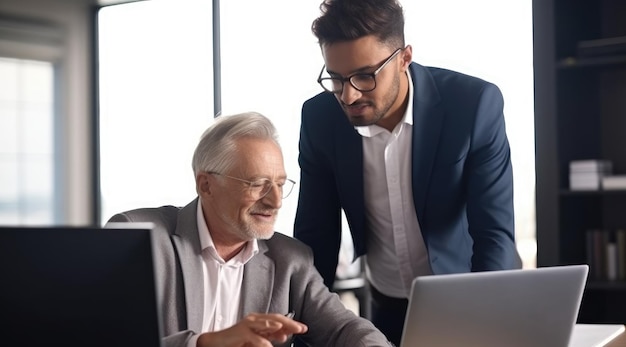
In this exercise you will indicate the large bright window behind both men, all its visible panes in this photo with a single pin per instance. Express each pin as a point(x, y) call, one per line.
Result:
point(155, 91)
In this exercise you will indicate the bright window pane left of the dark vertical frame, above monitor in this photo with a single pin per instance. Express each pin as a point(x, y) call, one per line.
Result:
point(156, 99)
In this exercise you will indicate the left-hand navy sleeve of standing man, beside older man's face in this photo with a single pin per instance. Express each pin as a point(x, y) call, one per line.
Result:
point(318, 216)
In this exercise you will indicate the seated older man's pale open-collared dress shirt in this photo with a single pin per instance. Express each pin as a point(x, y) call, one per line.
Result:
point(222, 282)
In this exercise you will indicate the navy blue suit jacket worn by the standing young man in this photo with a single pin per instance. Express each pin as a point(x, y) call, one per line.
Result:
point(462, 177)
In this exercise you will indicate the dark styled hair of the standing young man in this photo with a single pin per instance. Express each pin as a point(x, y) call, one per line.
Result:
point(346, 20)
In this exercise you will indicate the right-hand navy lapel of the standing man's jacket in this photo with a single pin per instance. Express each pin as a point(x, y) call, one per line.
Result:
point(427, 124)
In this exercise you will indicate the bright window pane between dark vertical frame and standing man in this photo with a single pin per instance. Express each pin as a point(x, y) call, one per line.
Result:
point(271, 69)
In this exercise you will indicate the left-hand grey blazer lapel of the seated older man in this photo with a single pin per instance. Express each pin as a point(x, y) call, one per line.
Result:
point(187, 245)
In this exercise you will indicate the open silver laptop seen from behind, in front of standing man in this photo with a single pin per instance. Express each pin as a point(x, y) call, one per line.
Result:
point(514, 308)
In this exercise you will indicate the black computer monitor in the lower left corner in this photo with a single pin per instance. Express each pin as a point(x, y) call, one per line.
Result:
point(77, 286)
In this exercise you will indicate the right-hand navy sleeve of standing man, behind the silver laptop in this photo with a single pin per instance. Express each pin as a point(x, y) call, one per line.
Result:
point(490, 187)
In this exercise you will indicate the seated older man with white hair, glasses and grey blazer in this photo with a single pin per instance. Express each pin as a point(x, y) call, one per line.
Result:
point(224, 277)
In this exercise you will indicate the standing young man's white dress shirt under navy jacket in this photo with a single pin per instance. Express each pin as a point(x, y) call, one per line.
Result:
point(395, 248)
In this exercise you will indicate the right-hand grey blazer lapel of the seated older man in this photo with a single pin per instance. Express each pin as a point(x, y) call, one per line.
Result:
point(258, 280)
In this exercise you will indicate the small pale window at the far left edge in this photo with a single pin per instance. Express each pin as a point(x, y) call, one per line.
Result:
point(27, 151)
